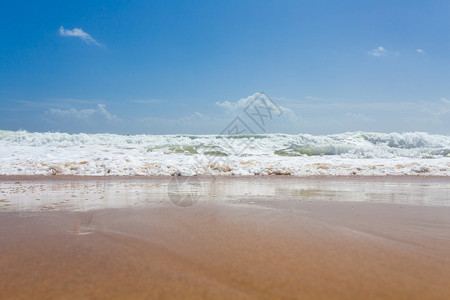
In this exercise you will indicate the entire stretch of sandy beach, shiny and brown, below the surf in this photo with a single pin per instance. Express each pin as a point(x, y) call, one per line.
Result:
point(296, 239)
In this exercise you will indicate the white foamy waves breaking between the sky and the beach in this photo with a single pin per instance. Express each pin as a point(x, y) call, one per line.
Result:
point(351, 153)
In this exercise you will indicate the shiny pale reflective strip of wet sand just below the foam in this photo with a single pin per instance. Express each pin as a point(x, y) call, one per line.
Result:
point(71, 193)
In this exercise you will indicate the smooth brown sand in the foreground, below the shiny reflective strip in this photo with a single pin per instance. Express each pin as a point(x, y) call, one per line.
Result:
point(290, 249)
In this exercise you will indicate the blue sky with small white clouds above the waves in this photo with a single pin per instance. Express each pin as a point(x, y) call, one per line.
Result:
point(189, 67)
